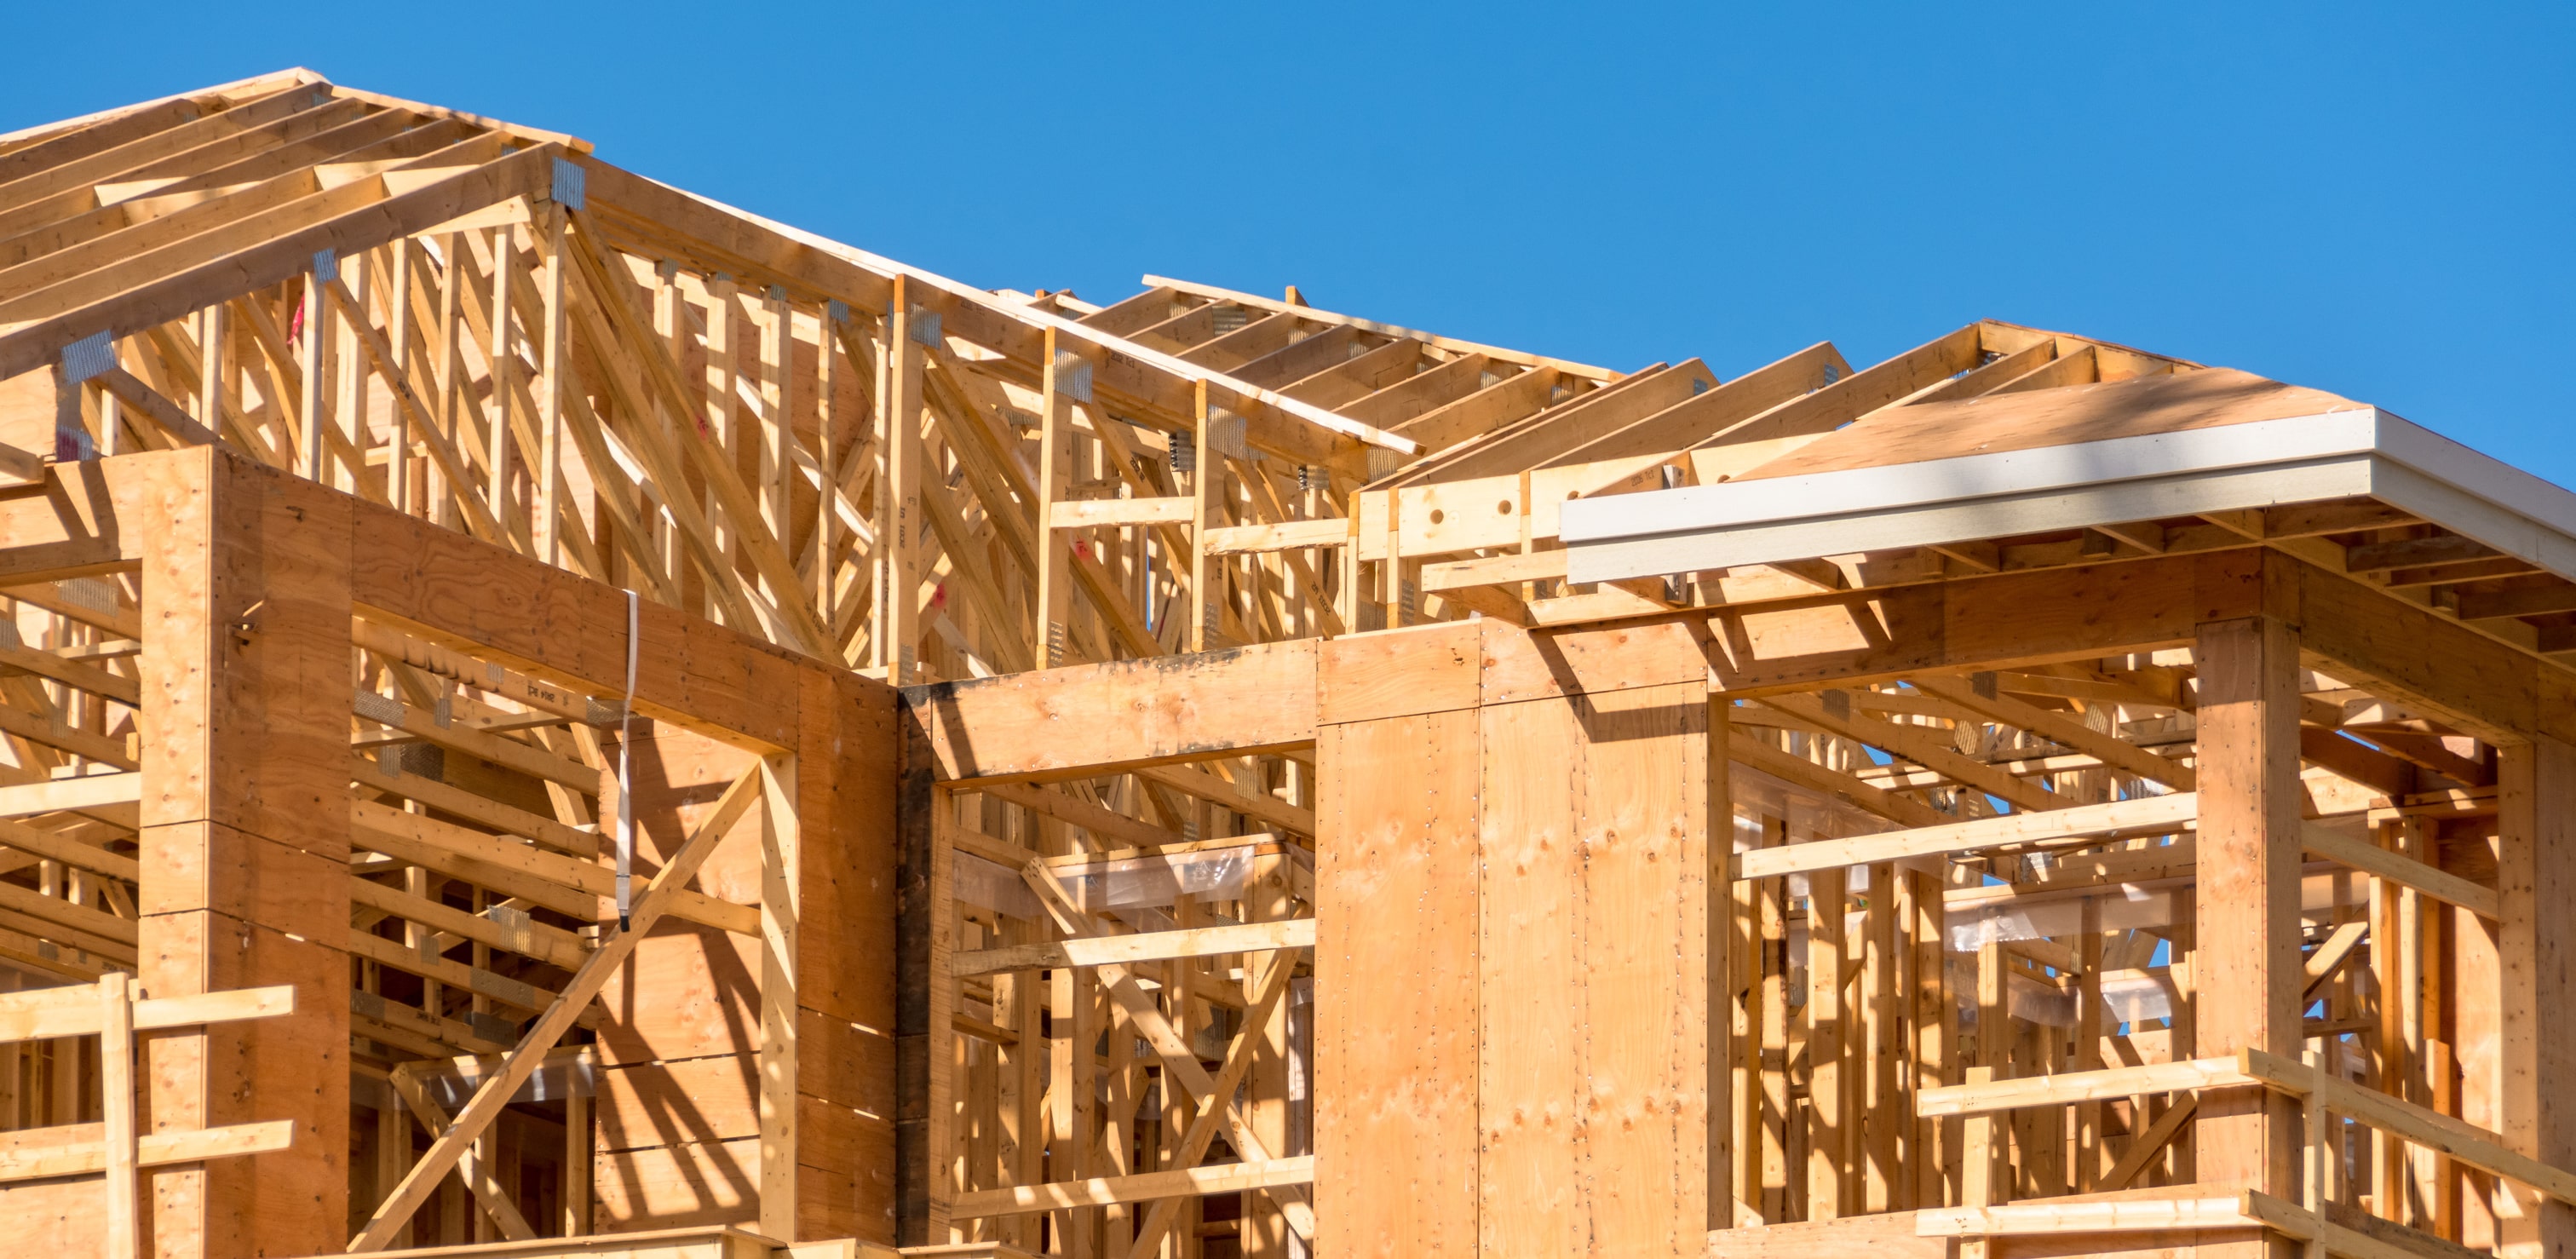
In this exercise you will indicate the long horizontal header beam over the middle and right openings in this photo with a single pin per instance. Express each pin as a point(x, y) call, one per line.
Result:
point(1096, 720)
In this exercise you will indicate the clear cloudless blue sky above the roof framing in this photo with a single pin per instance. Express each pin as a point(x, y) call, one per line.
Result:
point(2369, 200)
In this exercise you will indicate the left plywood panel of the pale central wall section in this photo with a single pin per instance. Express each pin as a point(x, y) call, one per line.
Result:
point(1397, 949)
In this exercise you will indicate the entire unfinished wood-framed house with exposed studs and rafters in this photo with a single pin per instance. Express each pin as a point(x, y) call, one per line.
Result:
point(542, 714)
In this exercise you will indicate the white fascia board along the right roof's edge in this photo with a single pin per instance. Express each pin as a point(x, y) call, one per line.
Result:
point(2080, 485)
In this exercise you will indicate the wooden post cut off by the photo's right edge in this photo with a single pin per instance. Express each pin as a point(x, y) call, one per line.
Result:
point(2536, 946)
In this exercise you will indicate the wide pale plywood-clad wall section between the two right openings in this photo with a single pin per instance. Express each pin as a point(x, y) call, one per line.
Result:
point(1513, 918)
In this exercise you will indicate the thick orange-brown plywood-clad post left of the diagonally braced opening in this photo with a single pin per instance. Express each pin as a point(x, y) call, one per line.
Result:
point(243, 841)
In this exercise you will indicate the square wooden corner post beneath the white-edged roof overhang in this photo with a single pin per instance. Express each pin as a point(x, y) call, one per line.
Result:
point(2245, 962)
